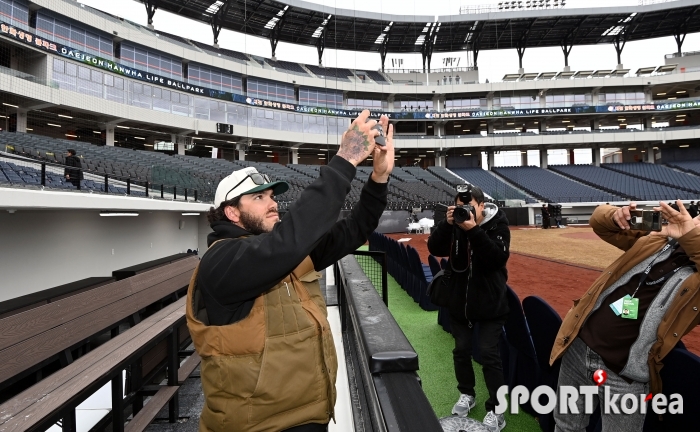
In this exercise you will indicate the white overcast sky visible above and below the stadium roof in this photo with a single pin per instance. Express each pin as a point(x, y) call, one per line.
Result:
point(492, 64)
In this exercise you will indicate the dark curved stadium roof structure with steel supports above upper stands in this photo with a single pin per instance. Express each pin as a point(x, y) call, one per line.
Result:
point(305, 23)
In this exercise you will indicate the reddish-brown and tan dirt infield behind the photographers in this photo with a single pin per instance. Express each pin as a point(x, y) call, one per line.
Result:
point(556, 264)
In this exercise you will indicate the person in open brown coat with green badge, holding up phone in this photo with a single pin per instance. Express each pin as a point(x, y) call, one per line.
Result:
point(657, 271)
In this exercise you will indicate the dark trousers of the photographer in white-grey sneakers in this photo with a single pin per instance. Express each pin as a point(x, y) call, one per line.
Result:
point(489, 335)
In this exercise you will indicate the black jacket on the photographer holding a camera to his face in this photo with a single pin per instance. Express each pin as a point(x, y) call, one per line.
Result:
point(485, 273)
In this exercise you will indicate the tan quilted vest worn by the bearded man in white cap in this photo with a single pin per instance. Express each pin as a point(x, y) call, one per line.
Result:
point(272, 370)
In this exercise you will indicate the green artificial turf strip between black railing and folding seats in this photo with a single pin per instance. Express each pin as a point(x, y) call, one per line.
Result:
point(434, 347)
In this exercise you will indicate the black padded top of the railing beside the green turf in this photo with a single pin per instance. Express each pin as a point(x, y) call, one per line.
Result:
point(384, 343)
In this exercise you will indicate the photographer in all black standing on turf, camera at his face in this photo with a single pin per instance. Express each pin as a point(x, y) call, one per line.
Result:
point(476, 238)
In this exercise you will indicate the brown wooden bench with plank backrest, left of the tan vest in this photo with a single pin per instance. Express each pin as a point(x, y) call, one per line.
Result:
point(33, 336)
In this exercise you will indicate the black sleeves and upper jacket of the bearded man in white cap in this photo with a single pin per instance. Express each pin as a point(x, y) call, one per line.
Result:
point(233, 273)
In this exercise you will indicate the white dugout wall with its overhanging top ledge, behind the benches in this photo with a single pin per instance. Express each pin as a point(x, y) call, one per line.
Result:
point(52, 238)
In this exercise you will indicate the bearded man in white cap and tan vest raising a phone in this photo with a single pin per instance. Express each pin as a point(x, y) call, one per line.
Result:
point(255, 309)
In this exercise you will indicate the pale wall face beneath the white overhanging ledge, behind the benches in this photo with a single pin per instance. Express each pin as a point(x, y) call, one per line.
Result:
point(46, 248)
